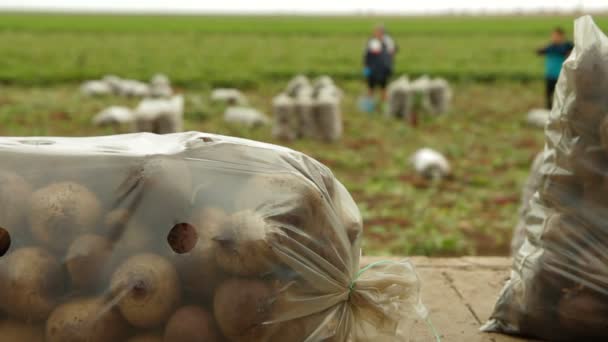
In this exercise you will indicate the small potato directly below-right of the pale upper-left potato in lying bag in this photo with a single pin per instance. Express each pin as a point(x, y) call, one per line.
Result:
point(86, 257)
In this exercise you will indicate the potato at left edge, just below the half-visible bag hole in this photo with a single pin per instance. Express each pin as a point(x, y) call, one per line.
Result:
point(30, 281)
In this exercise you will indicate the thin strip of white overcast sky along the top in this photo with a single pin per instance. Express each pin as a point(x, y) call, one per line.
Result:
point(311, 6)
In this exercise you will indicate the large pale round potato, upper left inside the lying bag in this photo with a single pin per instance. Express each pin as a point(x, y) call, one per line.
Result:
point(60, 212)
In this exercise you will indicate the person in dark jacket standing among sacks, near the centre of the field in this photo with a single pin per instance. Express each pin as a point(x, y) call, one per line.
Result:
point(378, 62)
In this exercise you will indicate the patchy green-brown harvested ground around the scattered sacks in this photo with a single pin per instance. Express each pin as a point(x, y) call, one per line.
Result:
point(484, 136)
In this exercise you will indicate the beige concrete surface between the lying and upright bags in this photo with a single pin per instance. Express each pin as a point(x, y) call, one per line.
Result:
point(460, 294)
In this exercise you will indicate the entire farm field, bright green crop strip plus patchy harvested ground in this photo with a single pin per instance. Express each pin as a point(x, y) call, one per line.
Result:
point(495, 74)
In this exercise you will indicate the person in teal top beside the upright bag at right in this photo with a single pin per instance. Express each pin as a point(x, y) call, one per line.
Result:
point(555, 55)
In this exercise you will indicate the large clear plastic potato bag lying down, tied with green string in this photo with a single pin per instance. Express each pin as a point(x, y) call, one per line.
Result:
point(186, 237)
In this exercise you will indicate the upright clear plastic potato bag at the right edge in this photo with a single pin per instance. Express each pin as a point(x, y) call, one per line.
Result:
point(559, 283)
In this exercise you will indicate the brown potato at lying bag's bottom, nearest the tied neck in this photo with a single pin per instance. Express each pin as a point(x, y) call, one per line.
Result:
point(241, 306)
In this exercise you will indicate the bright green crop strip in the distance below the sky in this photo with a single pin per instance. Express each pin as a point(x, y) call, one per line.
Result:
point(252, 51)
